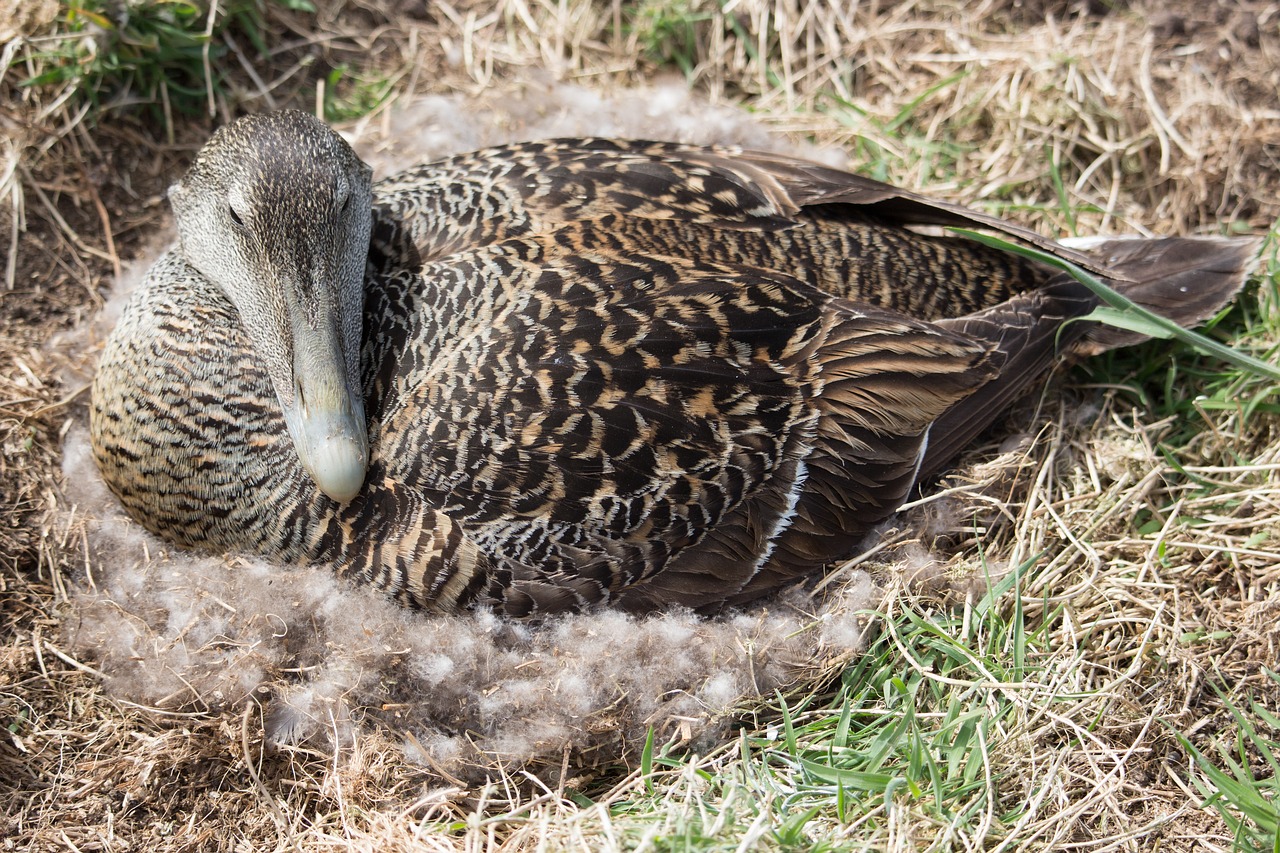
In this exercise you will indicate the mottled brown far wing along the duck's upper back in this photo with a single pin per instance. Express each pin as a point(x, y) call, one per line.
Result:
point(490, 195)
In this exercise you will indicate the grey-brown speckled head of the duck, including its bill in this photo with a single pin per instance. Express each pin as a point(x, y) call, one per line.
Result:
point(277, 213)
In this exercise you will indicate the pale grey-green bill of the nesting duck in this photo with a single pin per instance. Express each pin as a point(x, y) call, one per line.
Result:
point(327, 419)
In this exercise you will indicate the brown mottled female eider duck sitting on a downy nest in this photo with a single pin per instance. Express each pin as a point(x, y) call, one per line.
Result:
point(552, 376)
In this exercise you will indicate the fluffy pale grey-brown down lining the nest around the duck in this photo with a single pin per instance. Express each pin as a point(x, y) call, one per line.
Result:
point(179, 631)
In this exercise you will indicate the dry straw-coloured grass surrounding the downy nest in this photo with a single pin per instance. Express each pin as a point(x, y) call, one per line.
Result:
point(1158, 587)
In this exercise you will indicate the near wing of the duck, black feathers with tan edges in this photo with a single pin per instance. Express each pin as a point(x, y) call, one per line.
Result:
point(591, 419)
